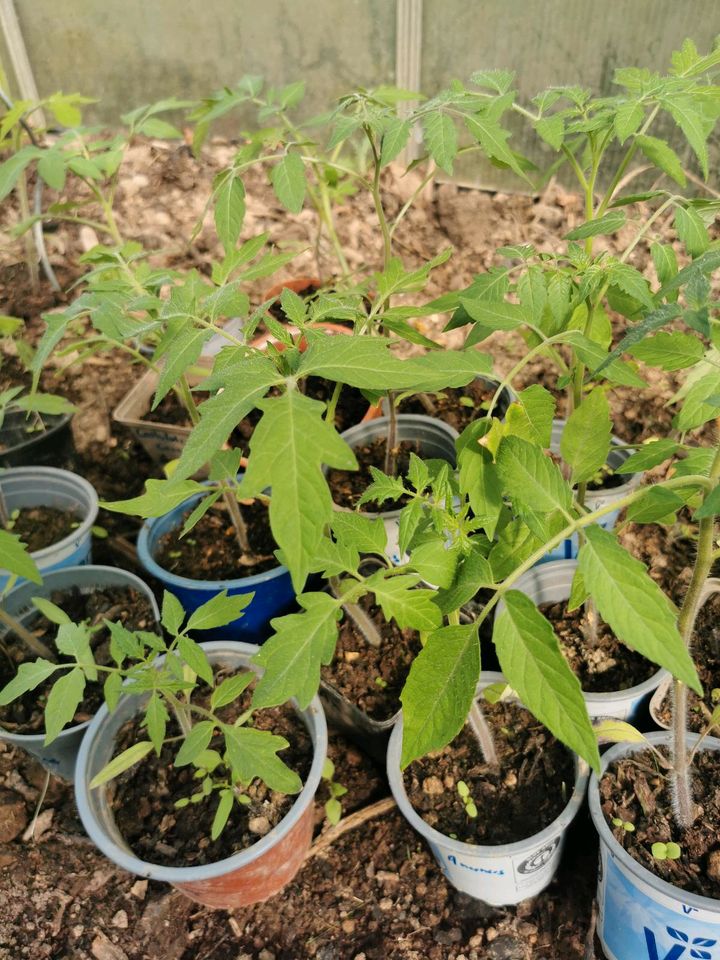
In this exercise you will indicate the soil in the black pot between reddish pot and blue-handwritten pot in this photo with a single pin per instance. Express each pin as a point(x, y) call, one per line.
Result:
point(357, 665)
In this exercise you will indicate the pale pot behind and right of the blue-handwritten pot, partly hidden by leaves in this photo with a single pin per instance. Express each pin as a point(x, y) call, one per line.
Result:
point(550, 582)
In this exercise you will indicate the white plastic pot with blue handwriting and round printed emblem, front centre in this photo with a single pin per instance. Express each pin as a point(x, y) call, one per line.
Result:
point(499, 875)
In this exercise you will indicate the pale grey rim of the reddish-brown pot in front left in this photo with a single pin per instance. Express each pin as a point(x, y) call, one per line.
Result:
point(180, 875)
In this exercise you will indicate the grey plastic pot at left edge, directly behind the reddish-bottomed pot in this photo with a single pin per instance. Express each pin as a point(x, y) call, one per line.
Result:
point(59, 756)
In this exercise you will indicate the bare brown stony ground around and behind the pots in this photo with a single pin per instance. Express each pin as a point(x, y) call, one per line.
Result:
point(376, 892)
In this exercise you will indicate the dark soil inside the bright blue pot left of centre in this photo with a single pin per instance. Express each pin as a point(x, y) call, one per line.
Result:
point(210, 551)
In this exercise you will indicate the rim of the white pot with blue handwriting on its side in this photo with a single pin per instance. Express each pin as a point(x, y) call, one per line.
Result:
point(435, 837)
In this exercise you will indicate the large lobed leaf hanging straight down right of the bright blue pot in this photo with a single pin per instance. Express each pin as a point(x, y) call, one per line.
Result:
point(283, 459)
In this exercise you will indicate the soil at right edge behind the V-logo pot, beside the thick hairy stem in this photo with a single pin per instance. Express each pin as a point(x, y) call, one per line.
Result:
point(705, 651)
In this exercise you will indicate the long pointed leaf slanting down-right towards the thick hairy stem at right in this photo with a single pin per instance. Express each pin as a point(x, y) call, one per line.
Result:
point(633, 605)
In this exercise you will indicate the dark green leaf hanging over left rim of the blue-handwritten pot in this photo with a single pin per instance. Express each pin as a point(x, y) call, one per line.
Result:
point(439, 690)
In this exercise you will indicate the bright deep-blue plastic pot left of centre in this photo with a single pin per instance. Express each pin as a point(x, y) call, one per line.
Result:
point(273, 590)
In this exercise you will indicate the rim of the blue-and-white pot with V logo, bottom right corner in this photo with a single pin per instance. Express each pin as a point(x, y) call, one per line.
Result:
point(616, 850)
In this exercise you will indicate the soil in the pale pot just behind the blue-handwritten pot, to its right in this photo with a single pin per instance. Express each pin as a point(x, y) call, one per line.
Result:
point(607, 667)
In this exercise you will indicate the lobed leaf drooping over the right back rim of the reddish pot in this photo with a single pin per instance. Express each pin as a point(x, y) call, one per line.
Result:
point(293, 655)
